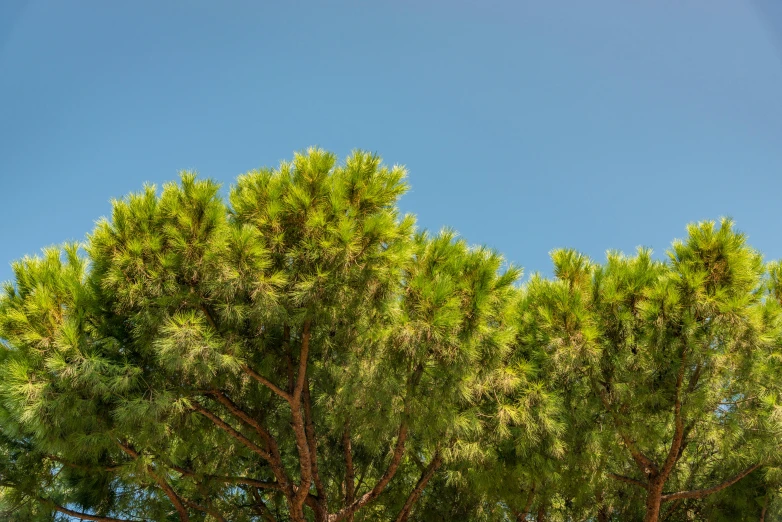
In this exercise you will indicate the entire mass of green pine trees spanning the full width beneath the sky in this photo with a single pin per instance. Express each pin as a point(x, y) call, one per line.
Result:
point(298, 350)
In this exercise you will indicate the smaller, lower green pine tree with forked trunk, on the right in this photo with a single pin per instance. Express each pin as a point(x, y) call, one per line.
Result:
point(672, 360)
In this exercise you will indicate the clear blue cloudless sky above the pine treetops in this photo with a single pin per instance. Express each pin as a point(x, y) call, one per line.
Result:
point(525, 125)
